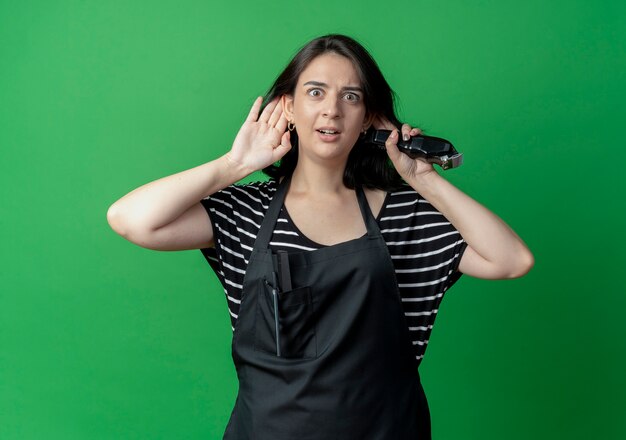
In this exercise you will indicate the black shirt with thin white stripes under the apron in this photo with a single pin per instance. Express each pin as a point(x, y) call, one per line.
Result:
point(425, 248)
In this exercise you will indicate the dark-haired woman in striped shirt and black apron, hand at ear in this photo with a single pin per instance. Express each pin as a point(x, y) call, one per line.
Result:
point(333, 269)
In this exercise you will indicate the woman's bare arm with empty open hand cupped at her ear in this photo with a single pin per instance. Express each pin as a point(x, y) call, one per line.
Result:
point(166, 214)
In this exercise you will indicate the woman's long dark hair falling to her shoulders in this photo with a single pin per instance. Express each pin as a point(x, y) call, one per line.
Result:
point(367, 165)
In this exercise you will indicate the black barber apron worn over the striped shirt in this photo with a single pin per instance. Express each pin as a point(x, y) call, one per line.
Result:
point(346, 367)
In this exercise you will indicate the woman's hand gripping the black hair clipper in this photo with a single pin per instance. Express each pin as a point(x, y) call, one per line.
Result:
point(409, 169)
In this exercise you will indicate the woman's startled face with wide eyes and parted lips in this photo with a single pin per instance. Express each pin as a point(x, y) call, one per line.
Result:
point(328, 97)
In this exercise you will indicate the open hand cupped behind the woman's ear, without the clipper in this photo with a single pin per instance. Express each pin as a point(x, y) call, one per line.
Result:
point(261, 140)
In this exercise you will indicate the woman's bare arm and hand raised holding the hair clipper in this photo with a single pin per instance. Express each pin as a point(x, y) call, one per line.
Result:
point(494, 250)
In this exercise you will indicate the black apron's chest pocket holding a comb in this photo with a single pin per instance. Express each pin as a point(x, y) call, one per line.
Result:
point(296, 323)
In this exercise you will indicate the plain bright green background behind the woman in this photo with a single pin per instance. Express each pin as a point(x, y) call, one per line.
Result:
point(102, 339)
